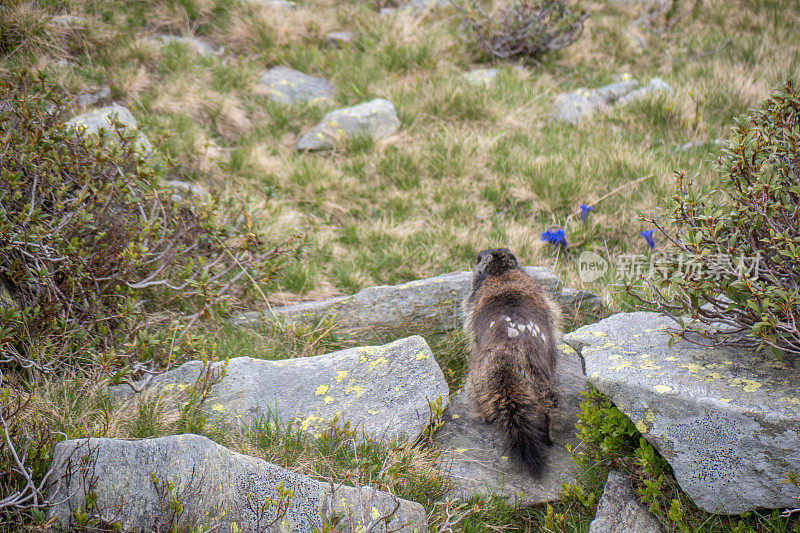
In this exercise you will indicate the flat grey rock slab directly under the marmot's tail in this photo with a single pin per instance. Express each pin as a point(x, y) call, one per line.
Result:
point(477, 462)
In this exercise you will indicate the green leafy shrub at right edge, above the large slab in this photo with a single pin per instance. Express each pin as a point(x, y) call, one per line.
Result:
point(743, 240)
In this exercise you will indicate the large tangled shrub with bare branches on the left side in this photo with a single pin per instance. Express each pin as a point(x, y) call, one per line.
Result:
point(94, 244)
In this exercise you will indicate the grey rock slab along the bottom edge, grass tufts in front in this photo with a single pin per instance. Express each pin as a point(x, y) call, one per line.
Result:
point(217, 488)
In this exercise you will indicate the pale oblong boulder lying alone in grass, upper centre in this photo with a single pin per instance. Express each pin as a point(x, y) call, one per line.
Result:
point(375, 119)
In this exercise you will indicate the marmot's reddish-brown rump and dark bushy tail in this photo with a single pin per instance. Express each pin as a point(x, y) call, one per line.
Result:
point(520, 403)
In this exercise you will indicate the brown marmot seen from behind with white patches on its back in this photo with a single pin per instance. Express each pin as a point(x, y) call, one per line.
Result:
point(513, 327)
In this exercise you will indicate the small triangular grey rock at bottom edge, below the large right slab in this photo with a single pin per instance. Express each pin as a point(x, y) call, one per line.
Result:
point(619, 511)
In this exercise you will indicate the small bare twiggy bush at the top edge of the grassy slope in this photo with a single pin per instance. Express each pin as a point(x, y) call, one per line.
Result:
point(522, 28)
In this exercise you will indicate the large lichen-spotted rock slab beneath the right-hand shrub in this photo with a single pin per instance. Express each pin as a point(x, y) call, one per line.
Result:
point(726, 419)
